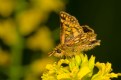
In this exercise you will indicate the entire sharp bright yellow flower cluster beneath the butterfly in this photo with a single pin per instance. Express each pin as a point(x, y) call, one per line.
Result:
point(79, 68)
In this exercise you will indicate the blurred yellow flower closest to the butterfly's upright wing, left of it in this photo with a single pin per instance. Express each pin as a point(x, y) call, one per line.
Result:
point(41, 40)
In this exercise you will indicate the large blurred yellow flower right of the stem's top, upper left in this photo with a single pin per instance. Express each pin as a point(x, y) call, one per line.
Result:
point(29, 20)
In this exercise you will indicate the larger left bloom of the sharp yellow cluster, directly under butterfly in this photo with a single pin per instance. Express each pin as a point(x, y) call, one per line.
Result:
point(75, 68)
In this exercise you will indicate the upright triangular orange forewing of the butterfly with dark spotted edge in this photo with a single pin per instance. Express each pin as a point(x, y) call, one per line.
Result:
point(70, 28)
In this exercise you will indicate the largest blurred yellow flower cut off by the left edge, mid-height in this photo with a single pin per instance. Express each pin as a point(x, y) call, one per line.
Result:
point(8, 32)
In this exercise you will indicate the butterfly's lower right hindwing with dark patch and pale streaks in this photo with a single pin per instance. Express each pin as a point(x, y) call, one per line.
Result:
point(86, 40)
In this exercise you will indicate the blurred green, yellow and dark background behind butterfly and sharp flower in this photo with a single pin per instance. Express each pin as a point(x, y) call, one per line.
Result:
point(29, 29)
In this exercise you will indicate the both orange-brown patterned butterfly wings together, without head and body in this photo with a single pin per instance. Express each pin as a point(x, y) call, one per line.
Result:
point(72, 34)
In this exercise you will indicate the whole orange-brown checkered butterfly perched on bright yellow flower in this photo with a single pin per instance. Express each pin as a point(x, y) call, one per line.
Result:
point(73, 37)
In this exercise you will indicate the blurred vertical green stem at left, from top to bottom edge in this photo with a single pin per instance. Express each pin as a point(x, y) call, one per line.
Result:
point(17, 49)
